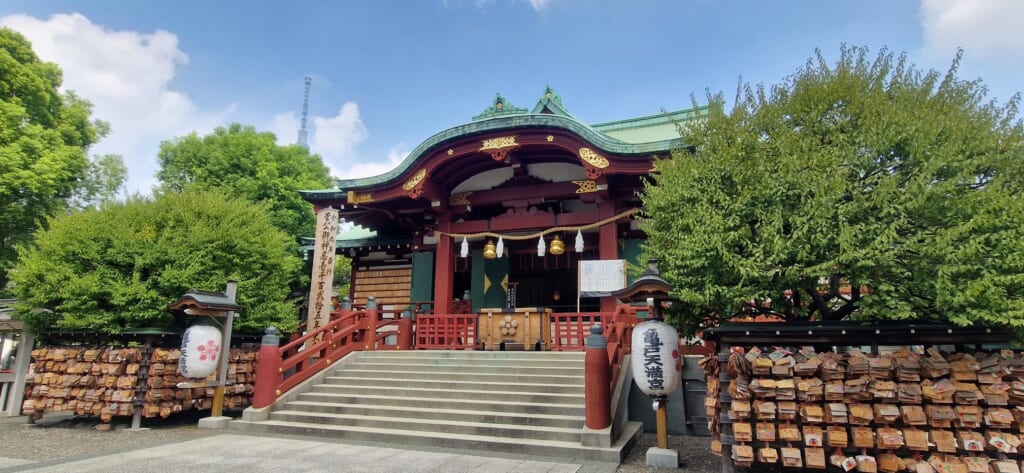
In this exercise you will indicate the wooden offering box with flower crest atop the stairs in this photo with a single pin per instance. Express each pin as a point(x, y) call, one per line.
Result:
point(520, 329)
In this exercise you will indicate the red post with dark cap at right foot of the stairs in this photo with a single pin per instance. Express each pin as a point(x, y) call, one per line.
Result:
point(598, 376)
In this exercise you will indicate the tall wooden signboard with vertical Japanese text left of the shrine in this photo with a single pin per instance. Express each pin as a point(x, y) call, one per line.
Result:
point(323, 275)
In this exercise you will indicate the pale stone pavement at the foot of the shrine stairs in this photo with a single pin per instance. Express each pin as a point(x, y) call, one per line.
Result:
point(247, 454)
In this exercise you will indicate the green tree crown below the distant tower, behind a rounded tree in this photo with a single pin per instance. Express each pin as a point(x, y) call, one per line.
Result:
point(251, 165)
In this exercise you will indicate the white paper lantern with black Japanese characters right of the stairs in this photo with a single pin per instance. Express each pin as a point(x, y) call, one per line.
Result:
point(656, 361)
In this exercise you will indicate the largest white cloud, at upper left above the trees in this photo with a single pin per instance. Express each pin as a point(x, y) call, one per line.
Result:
point(126, 75)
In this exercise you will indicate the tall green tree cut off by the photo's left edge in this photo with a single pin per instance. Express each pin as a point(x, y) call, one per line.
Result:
point(45, 136)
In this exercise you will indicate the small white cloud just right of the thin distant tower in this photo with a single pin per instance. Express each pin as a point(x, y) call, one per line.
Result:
point(335, 139)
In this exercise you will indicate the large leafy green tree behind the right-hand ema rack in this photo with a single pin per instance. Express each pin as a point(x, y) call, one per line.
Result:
point(865, 190)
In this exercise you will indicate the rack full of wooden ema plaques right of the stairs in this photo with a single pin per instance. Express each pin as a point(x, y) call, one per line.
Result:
point(869, 399)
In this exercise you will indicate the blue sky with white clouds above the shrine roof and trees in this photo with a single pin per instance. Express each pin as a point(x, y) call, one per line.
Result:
point(390, 74)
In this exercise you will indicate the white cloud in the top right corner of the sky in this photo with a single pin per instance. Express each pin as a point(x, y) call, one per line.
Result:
point(986, 29)
